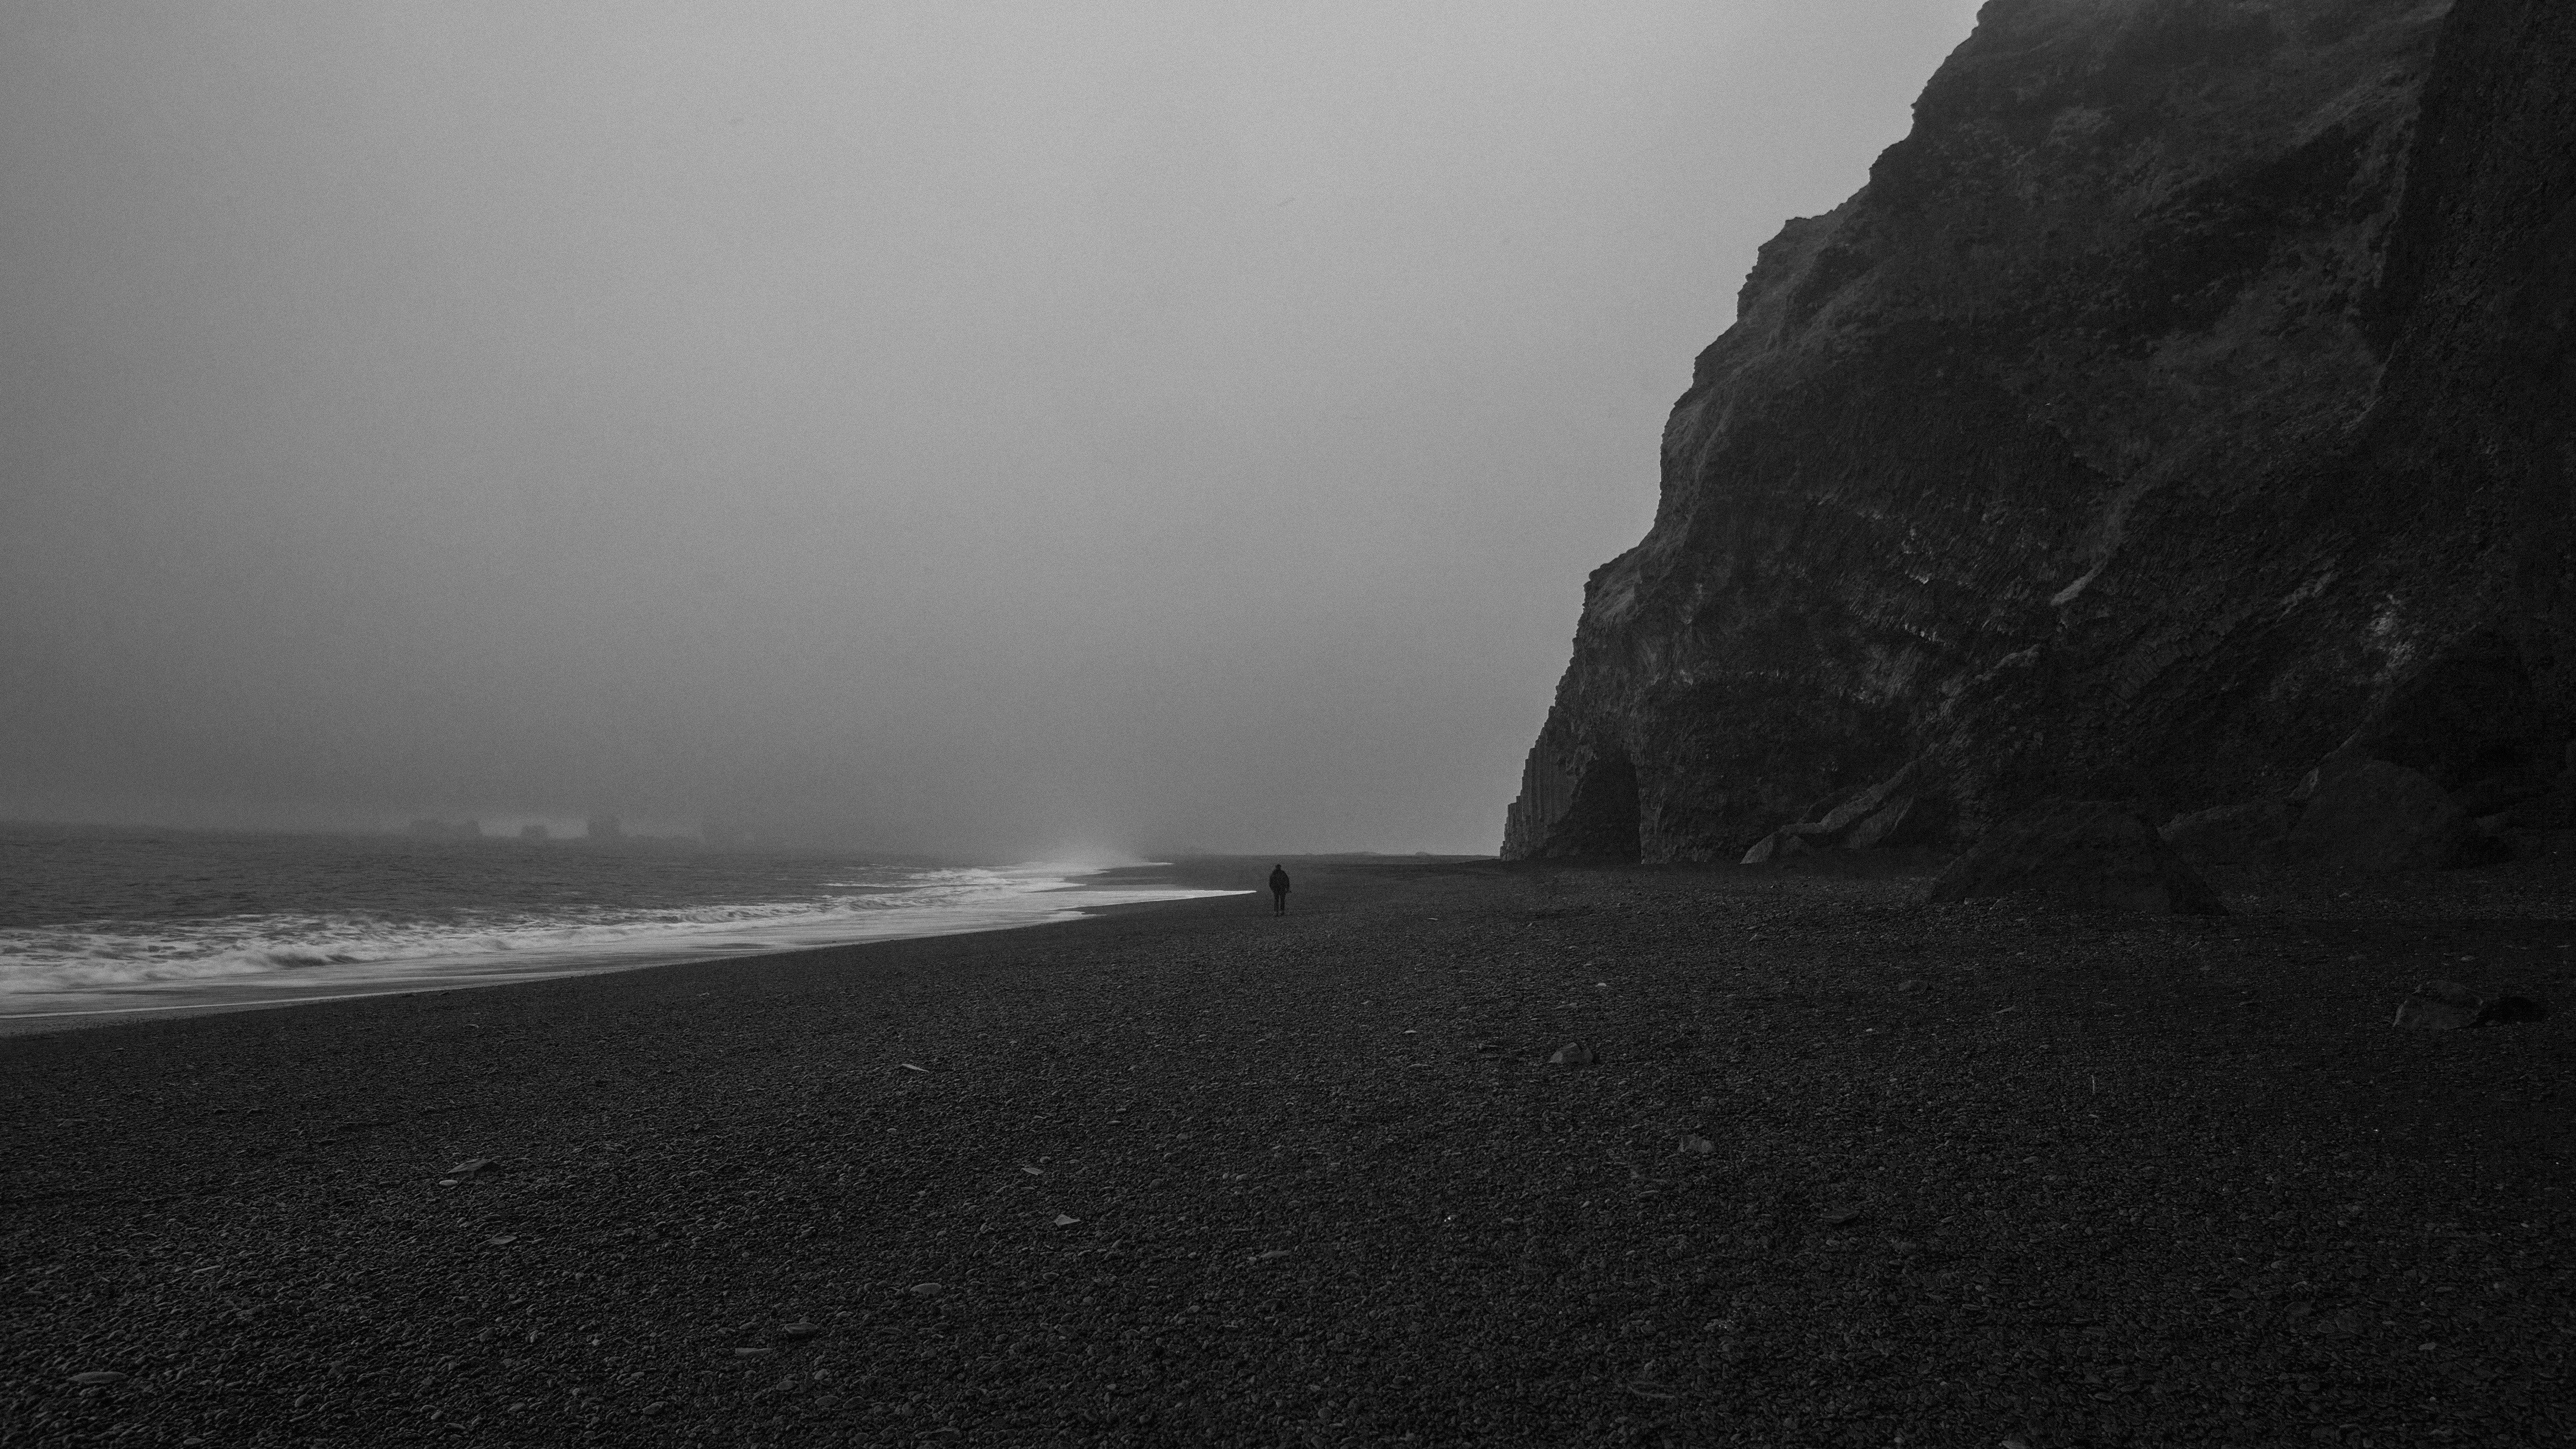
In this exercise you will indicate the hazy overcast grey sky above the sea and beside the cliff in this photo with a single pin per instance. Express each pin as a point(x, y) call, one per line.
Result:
point(962, 426)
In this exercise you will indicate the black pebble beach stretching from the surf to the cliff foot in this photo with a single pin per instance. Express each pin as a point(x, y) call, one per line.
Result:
point(1846, 1172)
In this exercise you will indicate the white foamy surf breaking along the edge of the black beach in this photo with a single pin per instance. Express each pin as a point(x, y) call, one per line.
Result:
point(357, 948)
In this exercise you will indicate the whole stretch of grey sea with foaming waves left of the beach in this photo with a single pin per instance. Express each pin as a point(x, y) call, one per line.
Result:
point(107, 923)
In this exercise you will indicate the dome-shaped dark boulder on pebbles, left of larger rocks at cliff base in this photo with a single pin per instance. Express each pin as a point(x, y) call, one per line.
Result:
point(2080, 853)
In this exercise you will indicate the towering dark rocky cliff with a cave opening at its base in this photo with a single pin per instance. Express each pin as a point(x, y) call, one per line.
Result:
point(2191, 380)
